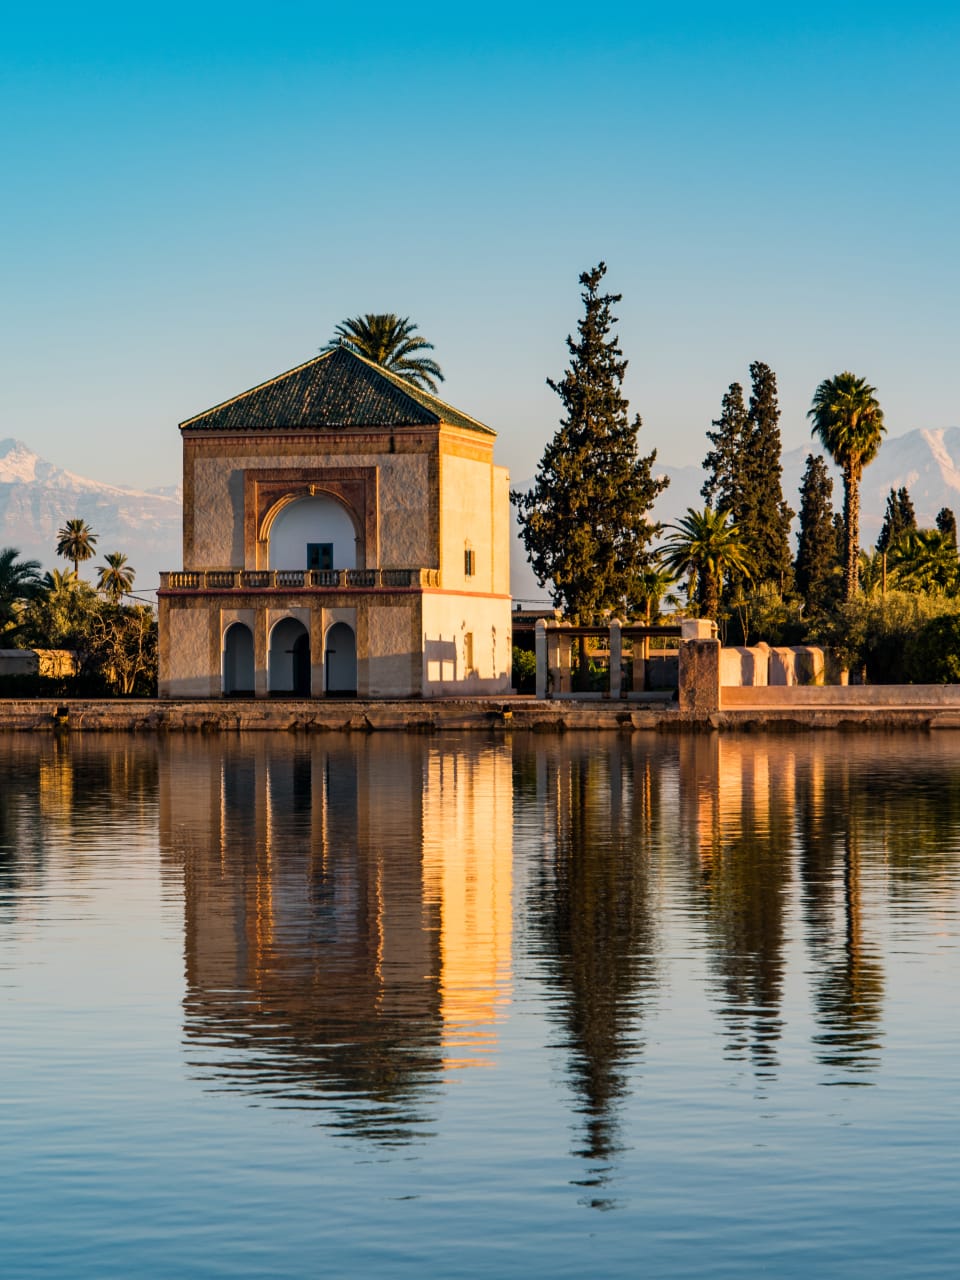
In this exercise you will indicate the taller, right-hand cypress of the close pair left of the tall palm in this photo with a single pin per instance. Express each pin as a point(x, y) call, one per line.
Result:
point(765, 522)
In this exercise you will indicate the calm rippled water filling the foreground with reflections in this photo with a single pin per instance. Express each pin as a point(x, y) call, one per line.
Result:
point(463, 1007)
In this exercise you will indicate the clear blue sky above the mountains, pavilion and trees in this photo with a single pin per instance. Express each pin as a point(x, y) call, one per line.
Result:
point(196, 195)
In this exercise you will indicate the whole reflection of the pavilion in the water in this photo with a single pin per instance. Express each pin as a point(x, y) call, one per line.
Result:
point(348, 916)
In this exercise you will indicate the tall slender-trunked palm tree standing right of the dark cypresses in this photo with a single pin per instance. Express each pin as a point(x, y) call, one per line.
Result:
point(849, 423)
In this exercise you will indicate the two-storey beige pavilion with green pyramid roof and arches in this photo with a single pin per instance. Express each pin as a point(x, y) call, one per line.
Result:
point(344, 533)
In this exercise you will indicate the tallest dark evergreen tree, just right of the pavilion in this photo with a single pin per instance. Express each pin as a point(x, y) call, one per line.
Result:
point(586, 523)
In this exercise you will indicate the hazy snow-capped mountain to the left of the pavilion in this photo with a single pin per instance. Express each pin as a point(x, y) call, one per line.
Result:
point(38, 499)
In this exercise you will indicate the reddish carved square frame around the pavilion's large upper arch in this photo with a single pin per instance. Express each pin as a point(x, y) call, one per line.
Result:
point(267, 493)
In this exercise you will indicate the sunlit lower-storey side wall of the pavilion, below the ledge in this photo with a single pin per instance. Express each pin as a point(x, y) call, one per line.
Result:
point(447, 621)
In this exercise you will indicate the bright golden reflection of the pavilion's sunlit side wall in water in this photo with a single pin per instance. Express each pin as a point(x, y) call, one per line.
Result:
point(469, 876)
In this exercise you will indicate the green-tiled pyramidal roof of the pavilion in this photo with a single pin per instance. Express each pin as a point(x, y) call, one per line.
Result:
point(339, 390)
